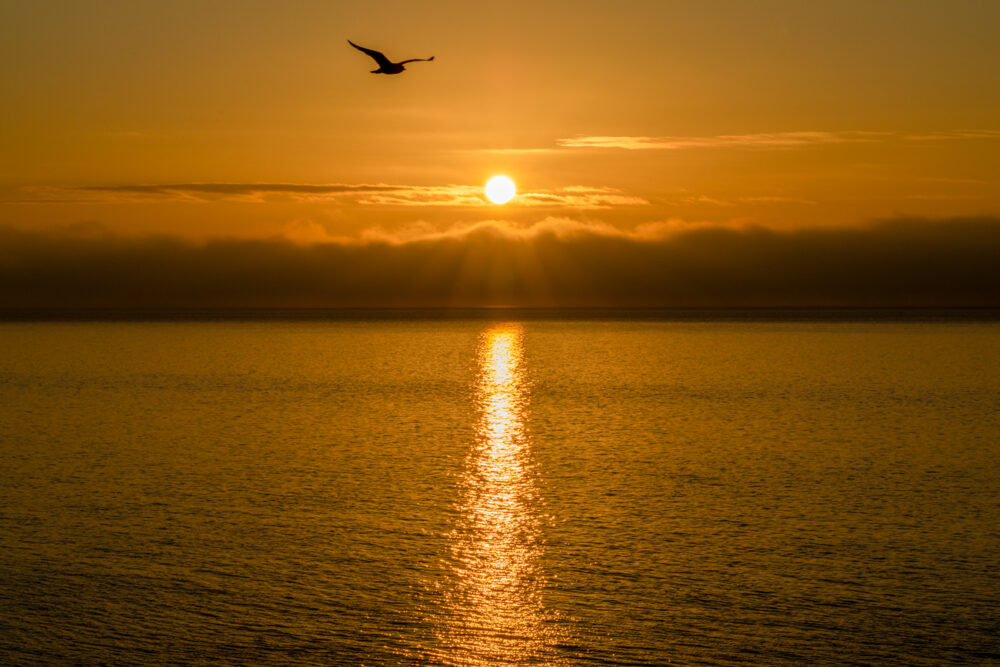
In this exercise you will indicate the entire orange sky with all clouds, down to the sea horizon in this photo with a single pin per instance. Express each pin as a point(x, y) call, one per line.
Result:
point(665, 153)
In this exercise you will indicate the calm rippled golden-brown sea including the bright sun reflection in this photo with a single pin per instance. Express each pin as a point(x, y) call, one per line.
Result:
point(499, 492)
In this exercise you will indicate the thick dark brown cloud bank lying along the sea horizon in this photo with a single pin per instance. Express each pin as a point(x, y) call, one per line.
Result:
point(904, 262)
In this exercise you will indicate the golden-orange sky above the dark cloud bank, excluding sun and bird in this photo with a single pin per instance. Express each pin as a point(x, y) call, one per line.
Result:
point(256, 120)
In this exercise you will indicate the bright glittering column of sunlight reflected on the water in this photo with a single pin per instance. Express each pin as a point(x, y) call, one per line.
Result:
point(495, 613)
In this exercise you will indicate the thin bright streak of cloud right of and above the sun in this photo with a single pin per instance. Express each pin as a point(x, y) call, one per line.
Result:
point(774, 140)
